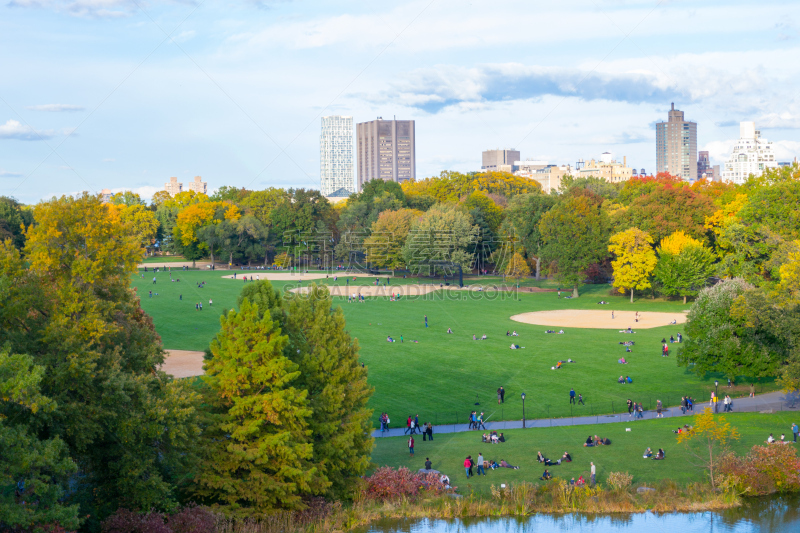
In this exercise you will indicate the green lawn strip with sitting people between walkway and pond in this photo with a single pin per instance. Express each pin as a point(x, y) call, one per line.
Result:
point(448, 451)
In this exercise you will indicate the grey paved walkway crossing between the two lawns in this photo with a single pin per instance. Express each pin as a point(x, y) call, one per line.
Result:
point(771, 401)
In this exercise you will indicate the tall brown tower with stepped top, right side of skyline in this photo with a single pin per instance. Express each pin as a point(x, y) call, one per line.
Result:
point(676, 146)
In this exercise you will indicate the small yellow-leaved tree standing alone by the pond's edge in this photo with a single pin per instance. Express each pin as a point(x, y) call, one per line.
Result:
point(708, 440)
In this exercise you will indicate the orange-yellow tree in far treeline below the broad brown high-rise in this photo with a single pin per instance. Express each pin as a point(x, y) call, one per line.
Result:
point(384, 246)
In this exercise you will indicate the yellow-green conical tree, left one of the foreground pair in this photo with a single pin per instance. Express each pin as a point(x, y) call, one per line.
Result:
point(255, 445)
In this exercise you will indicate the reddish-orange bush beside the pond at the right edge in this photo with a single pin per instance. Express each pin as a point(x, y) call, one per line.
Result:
point(765, 470)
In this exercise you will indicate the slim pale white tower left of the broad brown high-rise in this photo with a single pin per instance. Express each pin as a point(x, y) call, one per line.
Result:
point(336, 155)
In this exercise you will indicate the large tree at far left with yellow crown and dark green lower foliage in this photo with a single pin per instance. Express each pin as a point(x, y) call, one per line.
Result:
point(73, 311)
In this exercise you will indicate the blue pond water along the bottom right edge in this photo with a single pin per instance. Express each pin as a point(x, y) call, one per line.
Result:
point(768, 515)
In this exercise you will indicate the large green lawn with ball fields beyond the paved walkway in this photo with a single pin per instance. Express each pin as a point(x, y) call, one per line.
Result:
point(441, 376)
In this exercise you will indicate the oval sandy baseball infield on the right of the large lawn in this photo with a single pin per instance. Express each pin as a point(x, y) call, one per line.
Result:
point(575, 318)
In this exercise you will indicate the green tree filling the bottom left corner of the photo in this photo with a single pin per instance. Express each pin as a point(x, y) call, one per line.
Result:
point(38, 469)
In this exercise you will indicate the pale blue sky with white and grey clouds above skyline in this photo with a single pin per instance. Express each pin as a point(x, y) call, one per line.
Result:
point(125, 94)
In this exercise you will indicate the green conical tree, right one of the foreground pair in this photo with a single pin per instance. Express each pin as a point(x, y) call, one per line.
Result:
point(337, 387)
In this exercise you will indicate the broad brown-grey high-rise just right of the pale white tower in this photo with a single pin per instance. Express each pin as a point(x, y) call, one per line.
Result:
point(386, 151)
